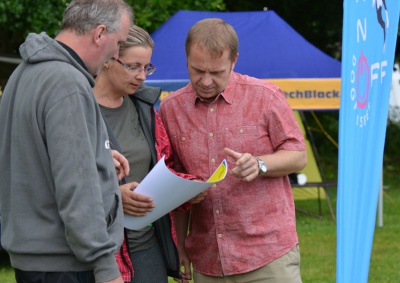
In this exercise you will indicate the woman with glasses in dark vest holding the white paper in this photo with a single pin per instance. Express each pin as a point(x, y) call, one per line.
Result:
point(136, 130)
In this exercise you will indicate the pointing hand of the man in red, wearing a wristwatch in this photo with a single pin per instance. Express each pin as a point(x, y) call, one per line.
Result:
point(246, 165)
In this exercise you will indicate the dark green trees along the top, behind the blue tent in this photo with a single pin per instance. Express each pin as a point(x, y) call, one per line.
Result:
point(320, 22)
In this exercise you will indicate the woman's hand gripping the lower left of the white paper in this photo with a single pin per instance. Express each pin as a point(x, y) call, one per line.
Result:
point(133, 203)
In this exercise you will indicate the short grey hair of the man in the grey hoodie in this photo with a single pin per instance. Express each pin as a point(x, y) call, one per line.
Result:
point(82, 16)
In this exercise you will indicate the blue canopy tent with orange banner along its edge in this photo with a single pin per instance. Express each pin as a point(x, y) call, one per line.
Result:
point(268, 49)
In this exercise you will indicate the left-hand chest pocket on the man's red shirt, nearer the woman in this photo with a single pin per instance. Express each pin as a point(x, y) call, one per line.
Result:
point(192, 149)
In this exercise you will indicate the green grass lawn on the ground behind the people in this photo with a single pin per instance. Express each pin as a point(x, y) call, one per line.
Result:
point(318, 240)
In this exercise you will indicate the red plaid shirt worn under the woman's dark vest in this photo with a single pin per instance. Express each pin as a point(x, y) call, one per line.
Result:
point(163, 148)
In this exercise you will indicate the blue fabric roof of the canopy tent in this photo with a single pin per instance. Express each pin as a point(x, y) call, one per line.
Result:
point(268, 47)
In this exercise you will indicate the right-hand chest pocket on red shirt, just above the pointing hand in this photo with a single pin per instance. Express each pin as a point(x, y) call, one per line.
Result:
point(241, 139)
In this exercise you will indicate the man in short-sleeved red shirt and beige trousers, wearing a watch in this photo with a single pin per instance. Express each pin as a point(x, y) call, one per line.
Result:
point(245, 228)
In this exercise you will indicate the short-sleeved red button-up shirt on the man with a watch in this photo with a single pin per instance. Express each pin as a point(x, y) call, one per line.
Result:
point(239, 226)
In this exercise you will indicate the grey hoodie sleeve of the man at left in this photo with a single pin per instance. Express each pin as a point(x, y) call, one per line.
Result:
point(86, 189)
